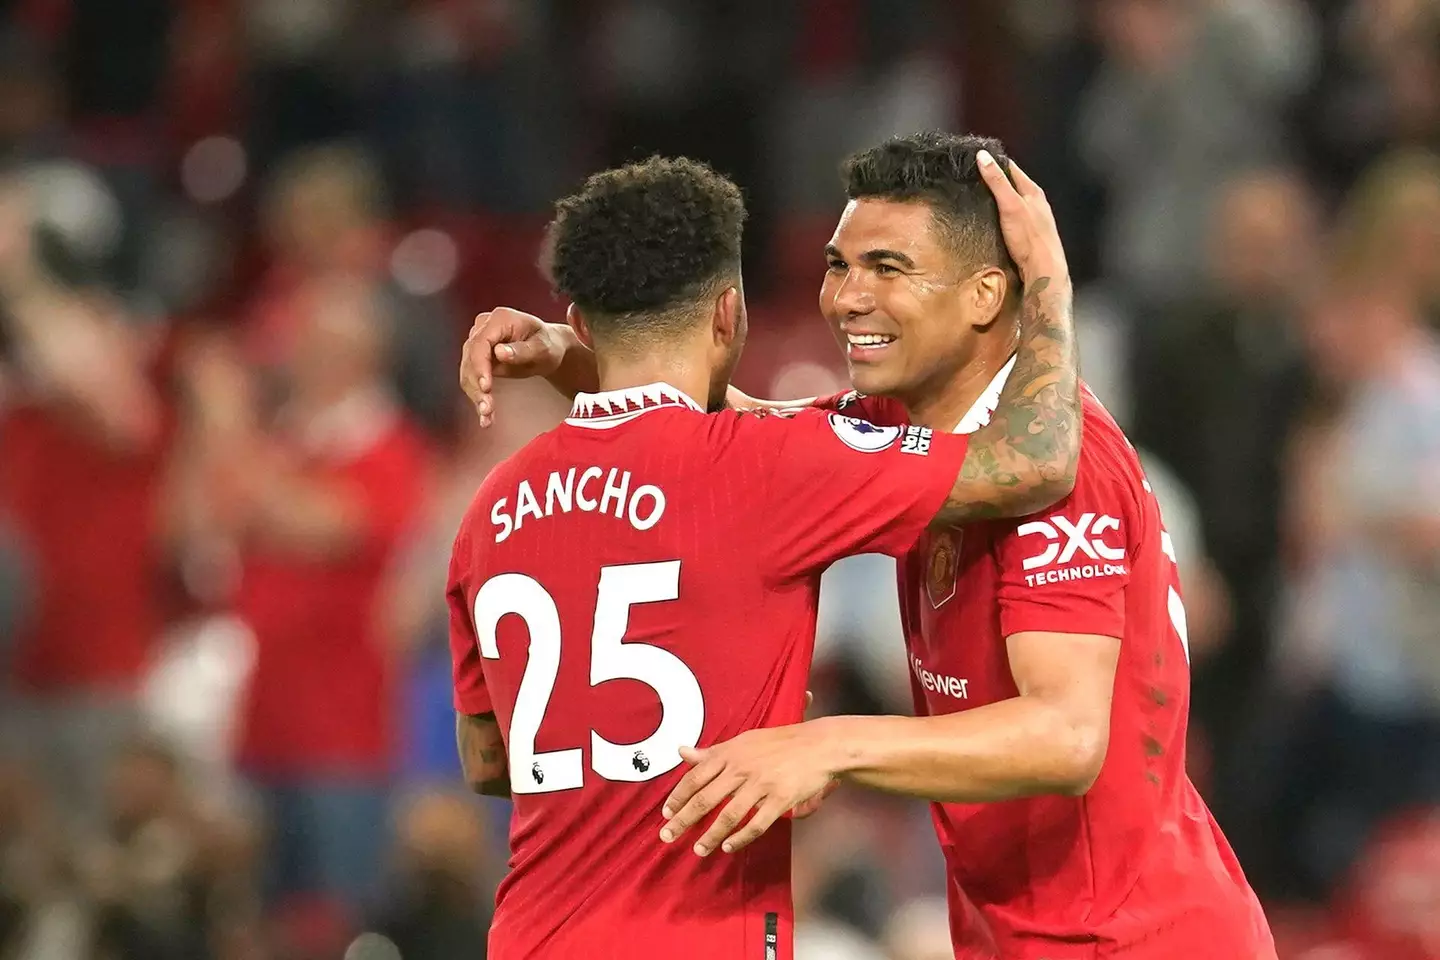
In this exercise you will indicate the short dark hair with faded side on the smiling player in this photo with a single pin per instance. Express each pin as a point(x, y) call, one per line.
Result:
point(941, 171)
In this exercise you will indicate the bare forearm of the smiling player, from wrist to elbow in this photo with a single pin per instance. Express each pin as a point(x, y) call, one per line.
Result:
point(1014, 749)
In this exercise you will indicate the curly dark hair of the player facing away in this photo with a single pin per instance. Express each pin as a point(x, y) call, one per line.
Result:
point(640, 245)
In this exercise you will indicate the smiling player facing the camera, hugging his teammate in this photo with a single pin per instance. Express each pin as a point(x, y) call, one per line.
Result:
point(1049, 660)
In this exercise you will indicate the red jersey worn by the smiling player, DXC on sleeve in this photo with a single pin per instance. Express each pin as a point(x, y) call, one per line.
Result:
point(1137, 867)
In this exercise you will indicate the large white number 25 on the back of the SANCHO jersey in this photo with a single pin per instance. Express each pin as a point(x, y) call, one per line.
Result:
point(611, 658)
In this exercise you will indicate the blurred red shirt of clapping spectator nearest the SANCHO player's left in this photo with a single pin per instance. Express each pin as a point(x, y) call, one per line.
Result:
point(322, 697)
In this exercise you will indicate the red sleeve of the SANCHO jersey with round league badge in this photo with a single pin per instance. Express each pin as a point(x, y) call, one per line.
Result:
point(827, 486)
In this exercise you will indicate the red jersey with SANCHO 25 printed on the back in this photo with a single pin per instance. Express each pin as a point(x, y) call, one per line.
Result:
point(644, 578)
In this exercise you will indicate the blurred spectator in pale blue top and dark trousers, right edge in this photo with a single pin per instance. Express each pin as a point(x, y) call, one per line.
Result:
point(1363, 625)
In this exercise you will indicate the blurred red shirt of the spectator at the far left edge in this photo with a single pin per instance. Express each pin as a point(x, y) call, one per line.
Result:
point(89, 522)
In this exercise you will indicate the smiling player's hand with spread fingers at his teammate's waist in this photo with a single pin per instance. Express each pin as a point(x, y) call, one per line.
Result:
point(767, 774)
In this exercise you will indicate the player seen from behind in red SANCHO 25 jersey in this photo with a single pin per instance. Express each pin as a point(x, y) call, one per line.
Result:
point(644, 578)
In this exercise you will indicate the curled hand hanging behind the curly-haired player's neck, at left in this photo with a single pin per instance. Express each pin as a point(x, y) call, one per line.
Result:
point(508, 345)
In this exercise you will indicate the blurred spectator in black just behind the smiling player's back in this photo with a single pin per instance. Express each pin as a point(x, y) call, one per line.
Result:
point(1218, 398)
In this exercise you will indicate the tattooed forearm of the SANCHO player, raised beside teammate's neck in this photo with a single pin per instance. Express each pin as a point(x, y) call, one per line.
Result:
point(1026, 458)
